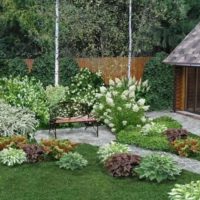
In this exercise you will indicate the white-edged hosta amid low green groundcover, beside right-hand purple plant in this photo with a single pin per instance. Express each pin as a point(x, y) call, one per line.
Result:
point(153, 128)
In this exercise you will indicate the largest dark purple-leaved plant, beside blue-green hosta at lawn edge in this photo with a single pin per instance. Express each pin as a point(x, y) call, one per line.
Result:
point(122, 164)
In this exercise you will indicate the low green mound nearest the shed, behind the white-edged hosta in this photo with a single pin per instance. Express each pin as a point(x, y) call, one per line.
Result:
point(168, 122)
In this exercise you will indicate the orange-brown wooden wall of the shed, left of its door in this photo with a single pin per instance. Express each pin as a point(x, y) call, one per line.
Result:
point(180, 88)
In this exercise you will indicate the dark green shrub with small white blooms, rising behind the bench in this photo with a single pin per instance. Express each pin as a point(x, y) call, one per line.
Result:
point(84, 87)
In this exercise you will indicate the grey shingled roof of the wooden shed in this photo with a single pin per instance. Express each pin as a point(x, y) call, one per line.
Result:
point(187, 53)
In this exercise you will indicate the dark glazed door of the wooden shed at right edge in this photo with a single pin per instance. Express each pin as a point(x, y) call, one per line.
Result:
point(193, 90)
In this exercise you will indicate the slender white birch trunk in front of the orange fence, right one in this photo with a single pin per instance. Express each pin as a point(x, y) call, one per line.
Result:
point(130, 40)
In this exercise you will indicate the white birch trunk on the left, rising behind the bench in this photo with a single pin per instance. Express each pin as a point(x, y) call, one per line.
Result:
point(57, 44)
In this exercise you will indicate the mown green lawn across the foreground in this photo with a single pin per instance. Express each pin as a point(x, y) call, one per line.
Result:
point(45, 181)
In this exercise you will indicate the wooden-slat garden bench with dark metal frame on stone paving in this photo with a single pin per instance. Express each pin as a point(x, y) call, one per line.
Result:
point(85, 119)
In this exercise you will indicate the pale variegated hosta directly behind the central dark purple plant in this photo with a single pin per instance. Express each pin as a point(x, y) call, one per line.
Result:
point(113, 148)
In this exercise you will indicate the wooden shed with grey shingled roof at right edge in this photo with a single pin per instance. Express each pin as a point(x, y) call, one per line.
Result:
point(186, 61)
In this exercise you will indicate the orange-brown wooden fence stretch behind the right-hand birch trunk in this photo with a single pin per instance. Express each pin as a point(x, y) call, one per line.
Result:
point(112, 67)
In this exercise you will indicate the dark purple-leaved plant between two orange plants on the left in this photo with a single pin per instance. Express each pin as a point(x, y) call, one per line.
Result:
point(34, 153)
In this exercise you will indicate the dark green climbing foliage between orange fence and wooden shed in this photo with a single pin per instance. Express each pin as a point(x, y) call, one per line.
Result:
point(161, 80)
